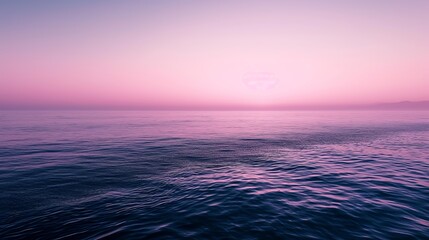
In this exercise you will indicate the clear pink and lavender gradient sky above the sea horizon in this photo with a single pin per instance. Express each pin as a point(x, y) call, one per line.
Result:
point(212, 54)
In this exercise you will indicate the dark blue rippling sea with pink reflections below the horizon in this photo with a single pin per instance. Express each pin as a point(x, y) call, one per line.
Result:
point(214, 175)
